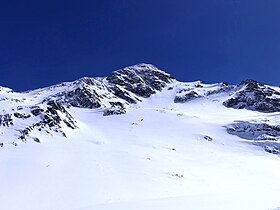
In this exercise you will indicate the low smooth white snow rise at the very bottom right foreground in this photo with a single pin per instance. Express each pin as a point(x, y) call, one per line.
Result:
point(198, 202)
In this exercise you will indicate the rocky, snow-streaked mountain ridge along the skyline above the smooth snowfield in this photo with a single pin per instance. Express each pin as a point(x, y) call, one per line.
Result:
point(45, 110)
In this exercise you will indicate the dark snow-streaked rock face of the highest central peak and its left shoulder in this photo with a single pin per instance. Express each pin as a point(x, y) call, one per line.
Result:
point(124, 86)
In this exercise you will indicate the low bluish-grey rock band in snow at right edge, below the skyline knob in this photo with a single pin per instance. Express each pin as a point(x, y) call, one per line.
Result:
point(261, 134)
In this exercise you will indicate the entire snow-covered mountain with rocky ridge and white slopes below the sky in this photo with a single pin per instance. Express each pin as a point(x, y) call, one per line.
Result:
point(140, 139)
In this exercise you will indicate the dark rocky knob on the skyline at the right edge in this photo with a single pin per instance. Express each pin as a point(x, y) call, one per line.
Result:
point(255, 96)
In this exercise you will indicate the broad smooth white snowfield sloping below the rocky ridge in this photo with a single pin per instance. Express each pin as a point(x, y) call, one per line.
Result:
point(155, 156)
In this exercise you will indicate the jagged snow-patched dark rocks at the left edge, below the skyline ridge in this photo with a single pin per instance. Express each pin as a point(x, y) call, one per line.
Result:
point(46, 118)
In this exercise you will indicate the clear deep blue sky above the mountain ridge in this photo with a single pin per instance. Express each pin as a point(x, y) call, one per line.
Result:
point(47, 42)
